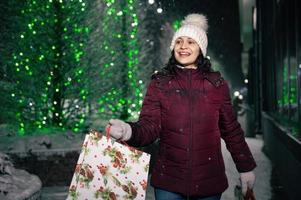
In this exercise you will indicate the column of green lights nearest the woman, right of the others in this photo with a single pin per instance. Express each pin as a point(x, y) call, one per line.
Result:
point(114, 101)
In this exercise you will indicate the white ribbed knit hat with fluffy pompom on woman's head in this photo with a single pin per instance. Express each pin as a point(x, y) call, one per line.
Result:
point(194, 26)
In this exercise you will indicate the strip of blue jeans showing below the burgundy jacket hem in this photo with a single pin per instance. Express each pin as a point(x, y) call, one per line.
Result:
point(165, 195)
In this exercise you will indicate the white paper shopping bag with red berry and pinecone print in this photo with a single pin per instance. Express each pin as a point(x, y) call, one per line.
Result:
point(109, 170)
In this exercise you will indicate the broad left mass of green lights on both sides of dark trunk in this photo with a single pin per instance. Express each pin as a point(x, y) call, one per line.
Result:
point(40, 58)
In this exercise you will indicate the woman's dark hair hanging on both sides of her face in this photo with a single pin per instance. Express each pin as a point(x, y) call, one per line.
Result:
point(202, 62)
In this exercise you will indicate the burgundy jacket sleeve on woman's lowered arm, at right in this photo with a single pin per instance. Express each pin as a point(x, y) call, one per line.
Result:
point(233, 135)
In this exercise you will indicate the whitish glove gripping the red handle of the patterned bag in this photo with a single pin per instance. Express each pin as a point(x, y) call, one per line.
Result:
point(119, 129)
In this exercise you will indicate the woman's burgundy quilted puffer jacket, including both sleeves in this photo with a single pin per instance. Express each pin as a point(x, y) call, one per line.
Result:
point(190, 111)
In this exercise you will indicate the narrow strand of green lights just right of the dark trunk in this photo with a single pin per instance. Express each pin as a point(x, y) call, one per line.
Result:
point(76, 35)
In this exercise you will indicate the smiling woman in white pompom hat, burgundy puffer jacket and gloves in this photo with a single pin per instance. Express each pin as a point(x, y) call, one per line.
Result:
point(188, 107)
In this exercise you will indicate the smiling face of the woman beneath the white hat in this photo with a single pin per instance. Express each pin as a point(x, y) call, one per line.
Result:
point(186, 51)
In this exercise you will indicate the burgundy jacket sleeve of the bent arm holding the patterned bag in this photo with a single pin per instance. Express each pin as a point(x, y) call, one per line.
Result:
point(146, 130)
